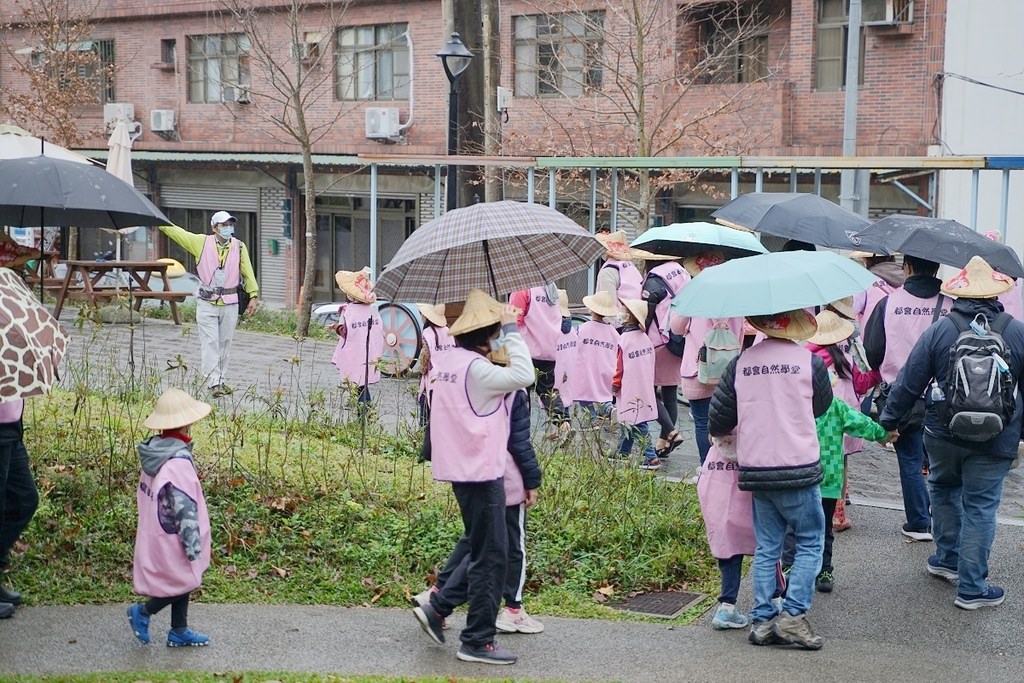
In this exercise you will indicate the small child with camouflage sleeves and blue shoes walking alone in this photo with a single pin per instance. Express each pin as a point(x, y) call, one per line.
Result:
point(173, 543)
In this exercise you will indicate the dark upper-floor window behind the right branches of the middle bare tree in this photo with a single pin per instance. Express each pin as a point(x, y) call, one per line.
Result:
point(734, 45)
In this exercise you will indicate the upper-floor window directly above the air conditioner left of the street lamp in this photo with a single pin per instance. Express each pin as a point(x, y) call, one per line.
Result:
point(373, 63)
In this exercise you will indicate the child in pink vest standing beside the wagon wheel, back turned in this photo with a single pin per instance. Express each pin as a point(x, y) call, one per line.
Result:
point(361, 335)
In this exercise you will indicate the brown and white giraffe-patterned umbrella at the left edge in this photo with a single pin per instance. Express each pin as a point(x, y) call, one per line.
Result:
point(34, 341)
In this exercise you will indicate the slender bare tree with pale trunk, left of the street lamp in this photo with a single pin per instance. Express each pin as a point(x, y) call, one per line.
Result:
point(289, 76)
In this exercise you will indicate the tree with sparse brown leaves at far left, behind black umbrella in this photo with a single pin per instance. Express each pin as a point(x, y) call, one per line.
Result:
point(56, 72)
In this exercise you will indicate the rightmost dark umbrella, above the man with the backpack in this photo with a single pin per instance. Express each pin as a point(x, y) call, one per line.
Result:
point(943, 241)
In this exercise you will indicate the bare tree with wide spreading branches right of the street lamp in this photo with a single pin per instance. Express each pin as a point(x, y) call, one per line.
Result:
point(629, 77)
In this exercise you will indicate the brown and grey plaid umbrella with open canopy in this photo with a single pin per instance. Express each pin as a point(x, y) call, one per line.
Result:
point(500, 248)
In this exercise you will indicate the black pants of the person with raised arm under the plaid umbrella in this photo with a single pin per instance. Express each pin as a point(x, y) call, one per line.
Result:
point(483, 508)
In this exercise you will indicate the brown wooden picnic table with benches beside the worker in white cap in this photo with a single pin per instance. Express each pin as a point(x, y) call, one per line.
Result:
point(82, 282)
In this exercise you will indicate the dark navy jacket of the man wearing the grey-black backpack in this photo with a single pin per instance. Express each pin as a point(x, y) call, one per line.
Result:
point(930, 360)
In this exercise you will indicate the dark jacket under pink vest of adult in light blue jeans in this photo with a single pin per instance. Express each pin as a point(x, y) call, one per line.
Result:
point(723, 417)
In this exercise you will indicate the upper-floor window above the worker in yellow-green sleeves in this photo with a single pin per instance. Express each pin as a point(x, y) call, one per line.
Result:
point(219, 68)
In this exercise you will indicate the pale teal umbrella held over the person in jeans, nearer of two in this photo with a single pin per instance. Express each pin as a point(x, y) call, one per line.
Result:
point(772, 284)
